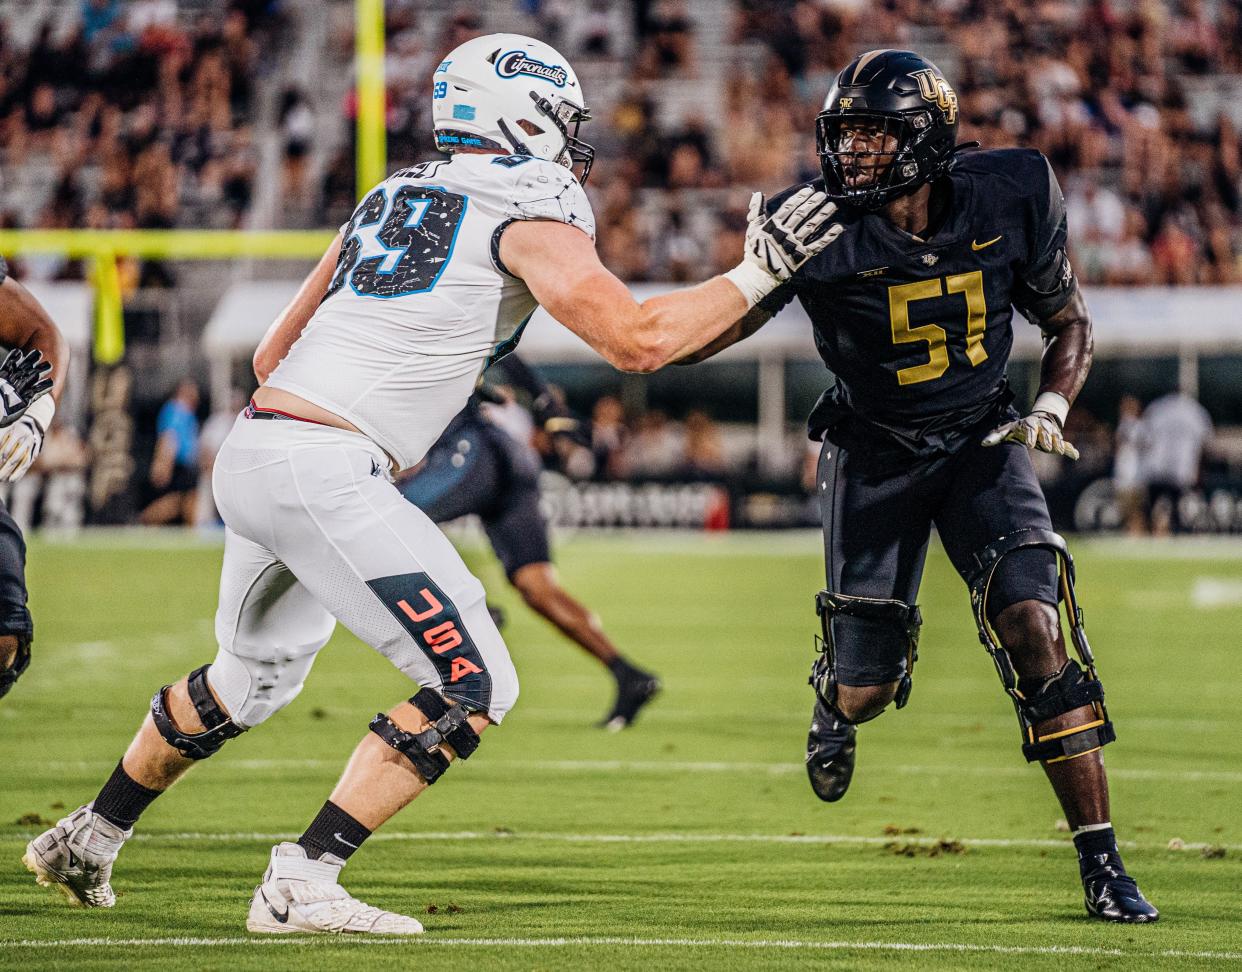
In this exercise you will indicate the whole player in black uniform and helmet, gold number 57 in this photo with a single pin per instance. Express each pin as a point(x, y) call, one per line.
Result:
point(913, 311)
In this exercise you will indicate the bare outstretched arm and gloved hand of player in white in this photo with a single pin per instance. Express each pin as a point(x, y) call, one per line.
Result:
point(563, 271)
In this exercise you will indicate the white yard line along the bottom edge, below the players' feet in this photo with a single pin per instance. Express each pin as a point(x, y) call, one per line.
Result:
point(593, 942)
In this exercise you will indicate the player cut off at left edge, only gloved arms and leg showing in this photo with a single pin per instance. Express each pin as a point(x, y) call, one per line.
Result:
point(32, 382)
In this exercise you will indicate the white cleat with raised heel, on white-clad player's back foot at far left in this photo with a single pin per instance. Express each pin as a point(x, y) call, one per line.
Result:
point(76, 858)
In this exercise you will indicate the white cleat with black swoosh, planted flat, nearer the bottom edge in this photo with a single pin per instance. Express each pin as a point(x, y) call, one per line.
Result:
point(300, 896)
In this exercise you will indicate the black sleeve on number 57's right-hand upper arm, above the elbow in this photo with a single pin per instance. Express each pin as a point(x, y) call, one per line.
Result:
point(1048, 281)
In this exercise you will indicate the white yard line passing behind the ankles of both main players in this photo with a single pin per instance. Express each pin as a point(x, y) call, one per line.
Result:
point(658, 839)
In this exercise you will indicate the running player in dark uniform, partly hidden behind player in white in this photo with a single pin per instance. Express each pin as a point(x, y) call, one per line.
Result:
point(479, 469)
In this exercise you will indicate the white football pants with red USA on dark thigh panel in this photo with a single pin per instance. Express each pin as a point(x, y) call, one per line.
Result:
point(317, 534)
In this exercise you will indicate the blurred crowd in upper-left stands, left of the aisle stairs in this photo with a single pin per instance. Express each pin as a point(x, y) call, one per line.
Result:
point(137, 117)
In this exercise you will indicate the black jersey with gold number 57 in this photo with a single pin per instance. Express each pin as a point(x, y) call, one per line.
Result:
point(918, 333)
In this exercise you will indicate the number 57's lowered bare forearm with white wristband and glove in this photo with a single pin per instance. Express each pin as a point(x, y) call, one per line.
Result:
point(1069, 348)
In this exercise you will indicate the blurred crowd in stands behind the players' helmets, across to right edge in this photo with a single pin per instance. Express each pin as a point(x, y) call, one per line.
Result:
point(1102, 88)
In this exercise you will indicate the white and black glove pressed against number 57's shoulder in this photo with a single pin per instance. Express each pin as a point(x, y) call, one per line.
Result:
point(777, 246)
